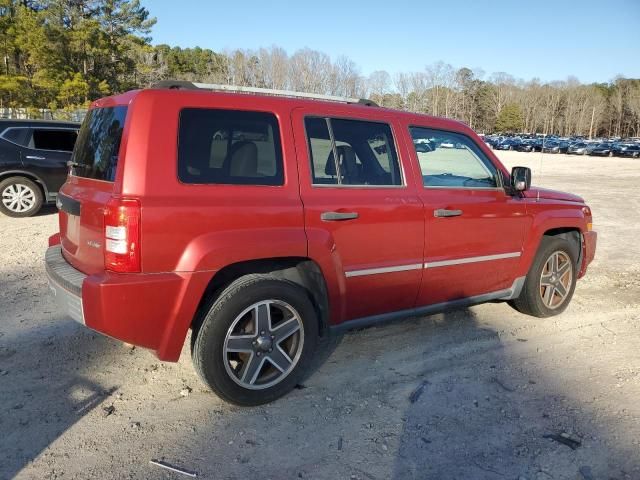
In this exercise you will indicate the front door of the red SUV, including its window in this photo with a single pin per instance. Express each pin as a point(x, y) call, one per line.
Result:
point(474, 229)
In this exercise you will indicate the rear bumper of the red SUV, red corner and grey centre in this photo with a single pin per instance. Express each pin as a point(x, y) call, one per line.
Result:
point(152, 311)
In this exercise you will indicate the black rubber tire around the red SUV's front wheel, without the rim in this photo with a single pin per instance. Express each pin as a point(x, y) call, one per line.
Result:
point(530, 301)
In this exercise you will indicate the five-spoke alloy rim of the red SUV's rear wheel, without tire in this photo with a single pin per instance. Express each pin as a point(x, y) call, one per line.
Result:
point(263, 344)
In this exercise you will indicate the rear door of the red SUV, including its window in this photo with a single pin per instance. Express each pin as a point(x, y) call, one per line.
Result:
point(363, 218)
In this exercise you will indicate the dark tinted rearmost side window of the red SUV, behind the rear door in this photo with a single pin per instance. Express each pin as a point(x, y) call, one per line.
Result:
point(229, 147)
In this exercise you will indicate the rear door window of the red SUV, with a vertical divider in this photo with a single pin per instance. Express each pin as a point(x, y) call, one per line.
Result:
point(352, 152)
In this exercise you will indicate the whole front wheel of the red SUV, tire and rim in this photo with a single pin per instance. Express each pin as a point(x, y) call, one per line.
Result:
point(542, 301)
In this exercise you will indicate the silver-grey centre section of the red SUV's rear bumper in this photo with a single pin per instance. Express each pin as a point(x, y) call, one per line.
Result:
point(65, 282)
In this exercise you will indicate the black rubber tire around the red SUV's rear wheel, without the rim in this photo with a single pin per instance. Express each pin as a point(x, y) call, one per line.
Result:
point(211, 360)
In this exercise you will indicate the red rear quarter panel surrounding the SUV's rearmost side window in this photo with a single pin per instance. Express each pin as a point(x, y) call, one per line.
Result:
point(191, 228)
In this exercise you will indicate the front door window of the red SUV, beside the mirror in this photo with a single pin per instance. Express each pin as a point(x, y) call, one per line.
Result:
point(449, 159)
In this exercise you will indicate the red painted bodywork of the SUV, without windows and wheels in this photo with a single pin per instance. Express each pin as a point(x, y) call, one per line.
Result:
point(187, 233)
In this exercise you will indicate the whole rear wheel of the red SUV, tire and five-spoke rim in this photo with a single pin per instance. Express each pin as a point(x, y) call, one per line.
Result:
point(236, 349)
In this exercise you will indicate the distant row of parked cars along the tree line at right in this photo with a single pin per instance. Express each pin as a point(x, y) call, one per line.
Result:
point(572, 145)
